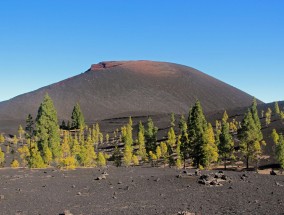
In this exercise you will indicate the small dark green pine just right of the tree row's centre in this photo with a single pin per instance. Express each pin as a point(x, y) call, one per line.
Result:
point(151, 136)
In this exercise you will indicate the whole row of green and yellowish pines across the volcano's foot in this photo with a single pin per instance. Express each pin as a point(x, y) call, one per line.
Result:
point(193, 141)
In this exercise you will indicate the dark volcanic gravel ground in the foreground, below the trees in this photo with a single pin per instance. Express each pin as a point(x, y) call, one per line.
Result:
point(136, 190)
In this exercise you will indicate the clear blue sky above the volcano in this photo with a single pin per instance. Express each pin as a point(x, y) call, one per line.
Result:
point(240, 42)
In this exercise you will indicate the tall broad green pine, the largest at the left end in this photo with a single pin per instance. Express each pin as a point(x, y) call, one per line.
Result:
point(47, 129)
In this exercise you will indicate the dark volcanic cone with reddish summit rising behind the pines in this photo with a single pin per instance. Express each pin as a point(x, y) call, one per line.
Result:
point(113, 89)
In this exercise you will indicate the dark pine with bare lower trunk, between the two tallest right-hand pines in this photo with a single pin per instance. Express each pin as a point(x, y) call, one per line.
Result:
point(226, 145)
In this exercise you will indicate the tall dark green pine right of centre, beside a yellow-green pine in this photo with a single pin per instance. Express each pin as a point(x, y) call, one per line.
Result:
point(196, 130)
